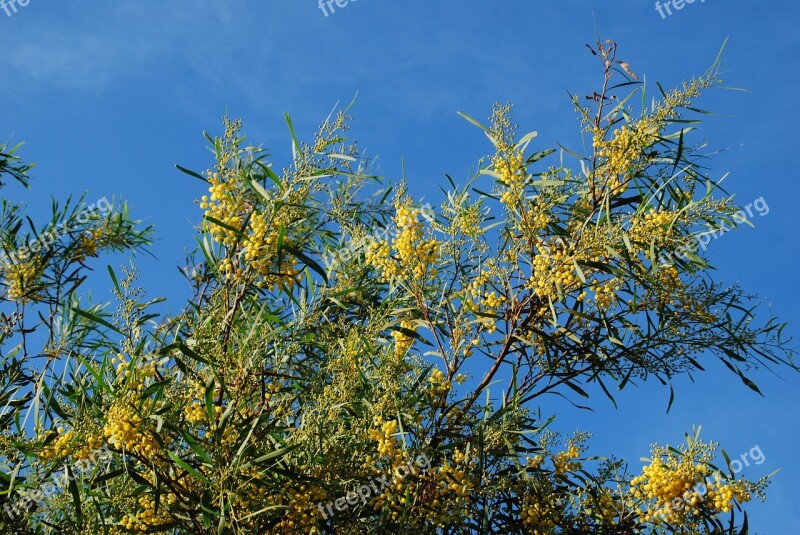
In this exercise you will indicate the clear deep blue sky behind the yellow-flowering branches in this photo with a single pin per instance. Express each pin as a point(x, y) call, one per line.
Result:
point(109, 96)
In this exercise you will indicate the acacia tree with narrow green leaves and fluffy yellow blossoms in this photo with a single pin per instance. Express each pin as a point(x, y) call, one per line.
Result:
point(350, 362)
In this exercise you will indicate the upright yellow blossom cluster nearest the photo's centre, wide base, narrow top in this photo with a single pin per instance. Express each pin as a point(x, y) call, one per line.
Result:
point(413, 255)
